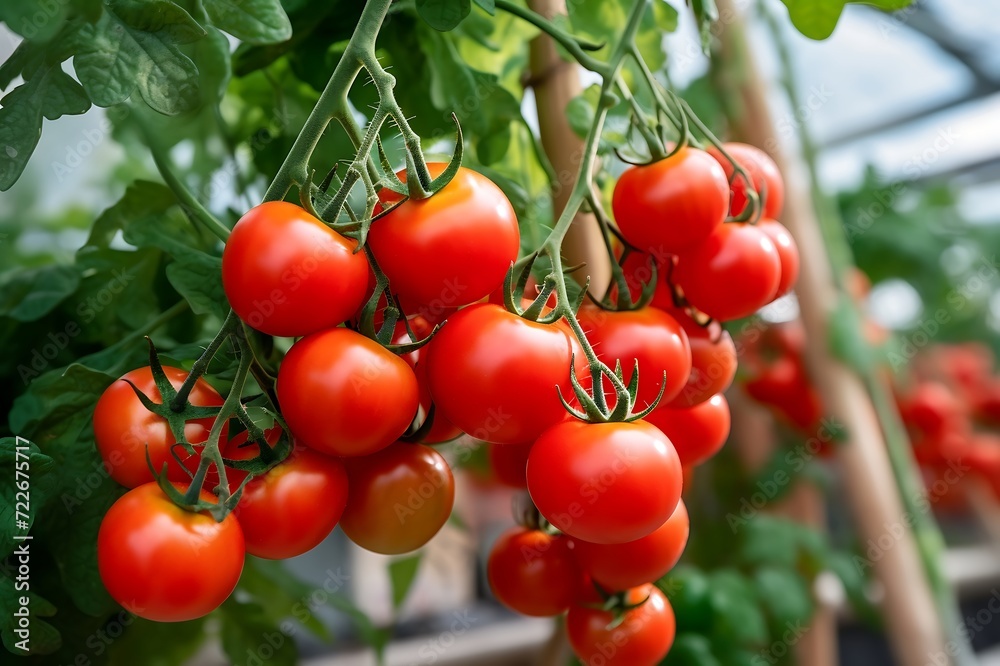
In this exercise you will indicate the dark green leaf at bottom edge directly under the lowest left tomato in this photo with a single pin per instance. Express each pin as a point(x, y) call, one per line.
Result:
point(159, 643)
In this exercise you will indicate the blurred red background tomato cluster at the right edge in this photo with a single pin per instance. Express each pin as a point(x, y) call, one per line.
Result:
point(951, 407)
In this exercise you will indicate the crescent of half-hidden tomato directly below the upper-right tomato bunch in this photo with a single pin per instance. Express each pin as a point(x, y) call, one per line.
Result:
point(713, 363)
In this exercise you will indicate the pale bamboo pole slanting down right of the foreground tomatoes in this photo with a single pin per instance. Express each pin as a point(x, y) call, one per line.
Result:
point(911, 617)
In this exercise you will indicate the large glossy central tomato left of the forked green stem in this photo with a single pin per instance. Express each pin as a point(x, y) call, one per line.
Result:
point(494, 374)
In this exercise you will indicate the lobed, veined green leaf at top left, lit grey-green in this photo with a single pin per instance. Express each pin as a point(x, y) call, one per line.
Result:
point(135, 45)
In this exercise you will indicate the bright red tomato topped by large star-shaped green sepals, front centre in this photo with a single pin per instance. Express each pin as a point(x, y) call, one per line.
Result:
point(604, 482)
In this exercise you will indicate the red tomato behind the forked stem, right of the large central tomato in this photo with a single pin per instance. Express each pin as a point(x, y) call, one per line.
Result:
point(647, 335)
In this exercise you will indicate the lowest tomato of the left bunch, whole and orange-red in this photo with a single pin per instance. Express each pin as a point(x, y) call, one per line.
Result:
point(154, 556)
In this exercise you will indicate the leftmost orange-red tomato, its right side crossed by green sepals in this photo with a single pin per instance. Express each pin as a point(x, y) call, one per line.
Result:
point(124, 429)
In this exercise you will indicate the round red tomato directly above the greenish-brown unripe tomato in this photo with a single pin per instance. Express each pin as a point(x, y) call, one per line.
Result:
point(343, 394)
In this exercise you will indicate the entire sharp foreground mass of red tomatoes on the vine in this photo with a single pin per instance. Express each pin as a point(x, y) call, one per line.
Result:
point(362, 398)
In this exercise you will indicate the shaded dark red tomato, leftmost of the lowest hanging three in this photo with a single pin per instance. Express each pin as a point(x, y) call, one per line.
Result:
point(533, 573)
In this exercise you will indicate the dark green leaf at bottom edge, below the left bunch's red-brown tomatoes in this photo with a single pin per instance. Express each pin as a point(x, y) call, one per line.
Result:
point(247, 631)
